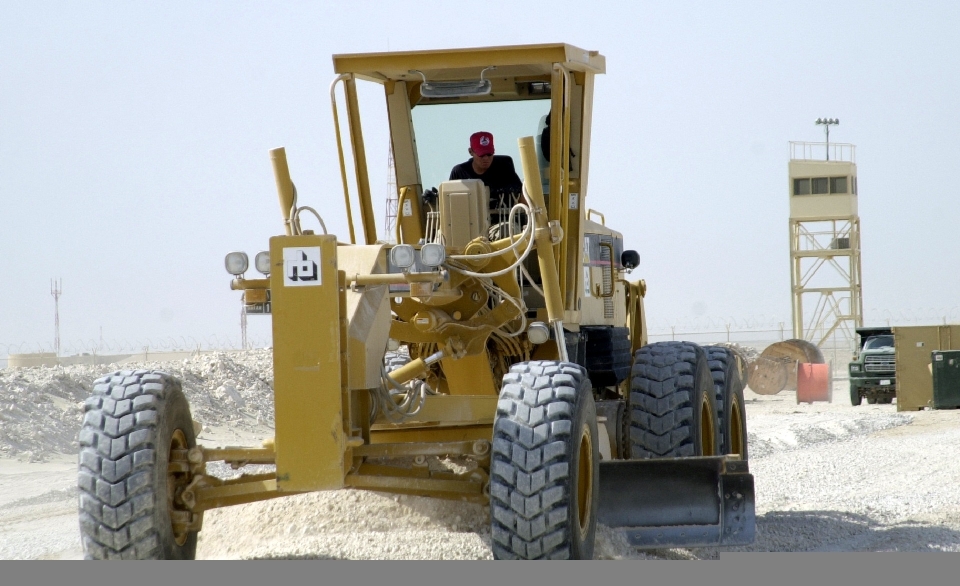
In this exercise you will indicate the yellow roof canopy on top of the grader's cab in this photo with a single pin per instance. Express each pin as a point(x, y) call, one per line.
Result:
point(519, 62)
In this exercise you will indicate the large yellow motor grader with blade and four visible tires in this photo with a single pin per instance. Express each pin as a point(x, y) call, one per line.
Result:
point(490, 349)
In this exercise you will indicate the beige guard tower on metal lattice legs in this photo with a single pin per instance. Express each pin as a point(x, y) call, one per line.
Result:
point(825, 280)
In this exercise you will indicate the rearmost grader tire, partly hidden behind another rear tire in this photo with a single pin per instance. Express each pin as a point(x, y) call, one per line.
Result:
point(728, 388)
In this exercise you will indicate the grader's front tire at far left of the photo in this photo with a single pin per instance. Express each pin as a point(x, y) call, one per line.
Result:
point(128, 493)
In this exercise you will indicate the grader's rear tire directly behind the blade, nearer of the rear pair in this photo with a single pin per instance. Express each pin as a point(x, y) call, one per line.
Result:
point(672, 407)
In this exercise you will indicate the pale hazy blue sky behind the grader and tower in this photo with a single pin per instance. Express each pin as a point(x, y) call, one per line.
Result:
point(134, 143)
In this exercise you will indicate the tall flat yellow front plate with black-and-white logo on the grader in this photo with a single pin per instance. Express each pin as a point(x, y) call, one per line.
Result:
point(307, 333)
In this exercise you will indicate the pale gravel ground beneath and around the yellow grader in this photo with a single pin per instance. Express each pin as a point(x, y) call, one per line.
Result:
point(829, 477)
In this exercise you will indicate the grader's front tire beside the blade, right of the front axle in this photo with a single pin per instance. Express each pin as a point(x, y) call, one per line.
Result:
point(546, 464)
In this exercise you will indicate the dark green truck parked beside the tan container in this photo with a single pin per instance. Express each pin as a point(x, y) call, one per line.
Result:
point(873, 370)
